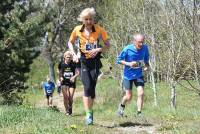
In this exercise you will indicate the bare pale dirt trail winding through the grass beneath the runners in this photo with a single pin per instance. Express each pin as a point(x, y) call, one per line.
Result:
point(140, 126)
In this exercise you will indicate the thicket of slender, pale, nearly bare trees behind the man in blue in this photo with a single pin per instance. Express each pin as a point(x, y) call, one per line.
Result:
point(171, 30)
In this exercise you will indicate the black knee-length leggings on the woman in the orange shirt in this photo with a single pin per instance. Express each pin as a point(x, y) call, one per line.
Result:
point(89, 75)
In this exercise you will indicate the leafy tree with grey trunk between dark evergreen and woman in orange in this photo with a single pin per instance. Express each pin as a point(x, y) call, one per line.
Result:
point(62, 21)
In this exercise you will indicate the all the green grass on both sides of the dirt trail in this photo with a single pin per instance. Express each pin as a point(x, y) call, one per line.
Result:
point(29, 119)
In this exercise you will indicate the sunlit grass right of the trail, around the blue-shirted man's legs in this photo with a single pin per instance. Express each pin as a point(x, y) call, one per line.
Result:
point(185, 119)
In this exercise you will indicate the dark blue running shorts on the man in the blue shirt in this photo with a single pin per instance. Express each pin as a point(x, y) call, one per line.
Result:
point(128, 84)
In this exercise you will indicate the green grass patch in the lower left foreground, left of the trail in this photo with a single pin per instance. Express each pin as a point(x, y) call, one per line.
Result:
point(27, 119)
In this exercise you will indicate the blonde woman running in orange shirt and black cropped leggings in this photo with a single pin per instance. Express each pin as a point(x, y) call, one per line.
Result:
point(87, 37)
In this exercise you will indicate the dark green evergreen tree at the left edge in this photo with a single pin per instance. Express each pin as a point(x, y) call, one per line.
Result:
point(19, 26)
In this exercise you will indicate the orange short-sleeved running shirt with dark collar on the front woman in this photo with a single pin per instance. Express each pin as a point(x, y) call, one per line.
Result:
point(87, 43)
